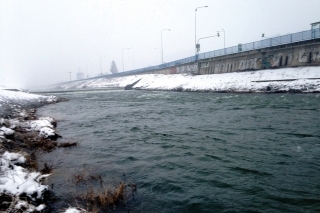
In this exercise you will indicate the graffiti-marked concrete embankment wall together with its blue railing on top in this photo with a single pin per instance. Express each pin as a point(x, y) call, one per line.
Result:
point(291, 50)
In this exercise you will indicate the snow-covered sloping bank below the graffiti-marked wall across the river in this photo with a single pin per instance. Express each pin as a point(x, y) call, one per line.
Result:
point(302, 79)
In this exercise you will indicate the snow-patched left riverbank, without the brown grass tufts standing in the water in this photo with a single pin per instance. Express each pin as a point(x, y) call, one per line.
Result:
point(21, 135)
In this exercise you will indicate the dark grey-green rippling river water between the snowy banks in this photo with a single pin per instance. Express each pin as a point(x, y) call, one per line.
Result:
point(192, 152)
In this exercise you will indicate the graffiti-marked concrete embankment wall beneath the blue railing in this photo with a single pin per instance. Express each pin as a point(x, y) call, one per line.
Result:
point(291, 55)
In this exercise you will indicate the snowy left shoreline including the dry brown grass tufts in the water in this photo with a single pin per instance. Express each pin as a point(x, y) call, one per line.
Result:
point(24, 137)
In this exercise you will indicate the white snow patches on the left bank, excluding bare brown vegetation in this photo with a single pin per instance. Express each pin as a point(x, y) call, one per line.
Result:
point(14, 179)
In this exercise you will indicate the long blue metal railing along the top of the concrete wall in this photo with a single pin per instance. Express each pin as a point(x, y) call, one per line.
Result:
point(269, 42)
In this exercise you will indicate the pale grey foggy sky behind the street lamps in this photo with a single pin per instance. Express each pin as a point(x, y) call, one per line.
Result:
point(41, 41)
